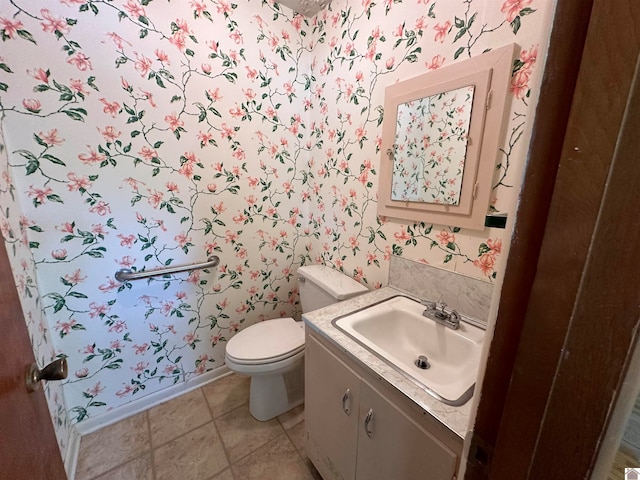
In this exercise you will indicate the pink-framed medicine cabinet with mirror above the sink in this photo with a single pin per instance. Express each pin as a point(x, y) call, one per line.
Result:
point(440, 140)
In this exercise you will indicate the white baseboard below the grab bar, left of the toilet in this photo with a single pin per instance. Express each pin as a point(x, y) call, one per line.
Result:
point(144, 403)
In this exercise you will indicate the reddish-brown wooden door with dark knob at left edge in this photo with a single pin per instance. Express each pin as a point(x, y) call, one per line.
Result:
point(28, 447)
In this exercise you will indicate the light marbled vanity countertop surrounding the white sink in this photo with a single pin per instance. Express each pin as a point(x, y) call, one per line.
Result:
point(455, 418)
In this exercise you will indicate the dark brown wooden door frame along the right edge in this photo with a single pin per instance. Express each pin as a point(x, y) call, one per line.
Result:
point(569, 312)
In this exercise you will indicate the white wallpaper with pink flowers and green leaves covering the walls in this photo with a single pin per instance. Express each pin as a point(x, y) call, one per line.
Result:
point(146, 133)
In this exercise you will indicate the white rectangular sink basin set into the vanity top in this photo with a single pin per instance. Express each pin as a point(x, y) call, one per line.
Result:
point(396, 331)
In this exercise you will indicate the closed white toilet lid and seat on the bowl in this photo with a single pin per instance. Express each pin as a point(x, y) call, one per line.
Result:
point(266, 342)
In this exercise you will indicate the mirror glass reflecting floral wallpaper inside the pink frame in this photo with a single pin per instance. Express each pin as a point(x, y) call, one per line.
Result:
point(431, 146)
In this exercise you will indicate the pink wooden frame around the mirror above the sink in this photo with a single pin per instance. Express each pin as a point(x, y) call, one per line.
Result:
point(490, 73)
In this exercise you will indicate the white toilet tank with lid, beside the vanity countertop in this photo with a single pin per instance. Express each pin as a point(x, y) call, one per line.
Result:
point(321, 286)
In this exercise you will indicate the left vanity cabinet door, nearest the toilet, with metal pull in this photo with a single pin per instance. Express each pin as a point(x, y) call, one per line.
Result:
point(332, 393)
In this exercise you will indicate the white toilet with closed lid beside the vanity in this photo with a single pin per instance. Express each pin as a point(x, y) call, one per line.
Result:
point(272, 352)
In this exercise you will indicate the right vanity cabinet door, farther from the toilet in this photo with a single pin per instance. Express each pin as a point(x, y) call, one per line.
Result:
point(392, 445)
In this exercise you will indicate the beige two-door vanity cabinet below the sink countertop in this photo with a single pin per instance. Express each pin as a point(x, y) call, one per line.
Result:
point(360, 427)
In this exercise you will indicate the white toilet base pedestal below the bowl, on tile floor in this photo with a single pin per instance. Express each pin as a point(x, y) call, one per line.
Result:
point(274, 394)
